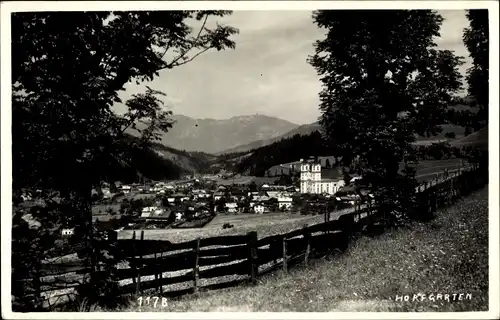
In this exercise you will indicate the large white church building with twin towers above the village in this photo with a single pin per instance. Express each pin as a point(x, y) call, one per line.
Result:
point(311, 182)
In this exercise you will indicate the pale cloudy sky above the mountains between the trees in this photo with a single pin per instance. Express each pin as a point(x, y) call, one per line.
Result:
point(267, 73)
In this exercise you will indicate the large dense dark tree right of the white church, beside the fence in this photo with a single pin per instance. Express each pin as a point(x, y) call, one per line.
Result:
point(383, 82)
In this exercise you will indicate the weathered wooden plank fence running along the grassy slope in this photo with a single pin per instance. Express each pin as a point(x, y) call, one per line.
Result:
point(152, 266)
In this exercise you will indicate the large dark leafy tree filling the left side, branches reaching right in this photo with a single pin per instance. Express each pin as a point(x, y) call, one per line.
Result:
point(67, 71)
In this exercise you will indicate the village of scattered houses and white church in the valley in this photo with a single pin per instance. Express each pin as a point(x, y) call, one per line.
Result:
point(194, 201)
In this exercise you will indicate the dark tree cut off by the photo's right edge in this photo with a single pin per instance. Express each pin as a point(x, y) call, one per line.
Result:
point(476, 39)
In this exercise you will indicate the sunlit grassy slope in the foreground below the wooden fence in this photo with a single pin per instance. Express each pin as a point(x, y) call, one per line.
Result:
point(448, 255)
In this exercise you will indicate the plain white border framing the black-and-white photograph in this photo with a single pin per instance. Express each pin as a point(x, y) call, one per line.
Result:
point(6, 161)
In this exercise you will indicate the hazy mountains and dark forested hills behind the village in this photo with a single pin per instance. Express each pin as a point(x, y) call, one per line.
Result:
point(241, 142)
